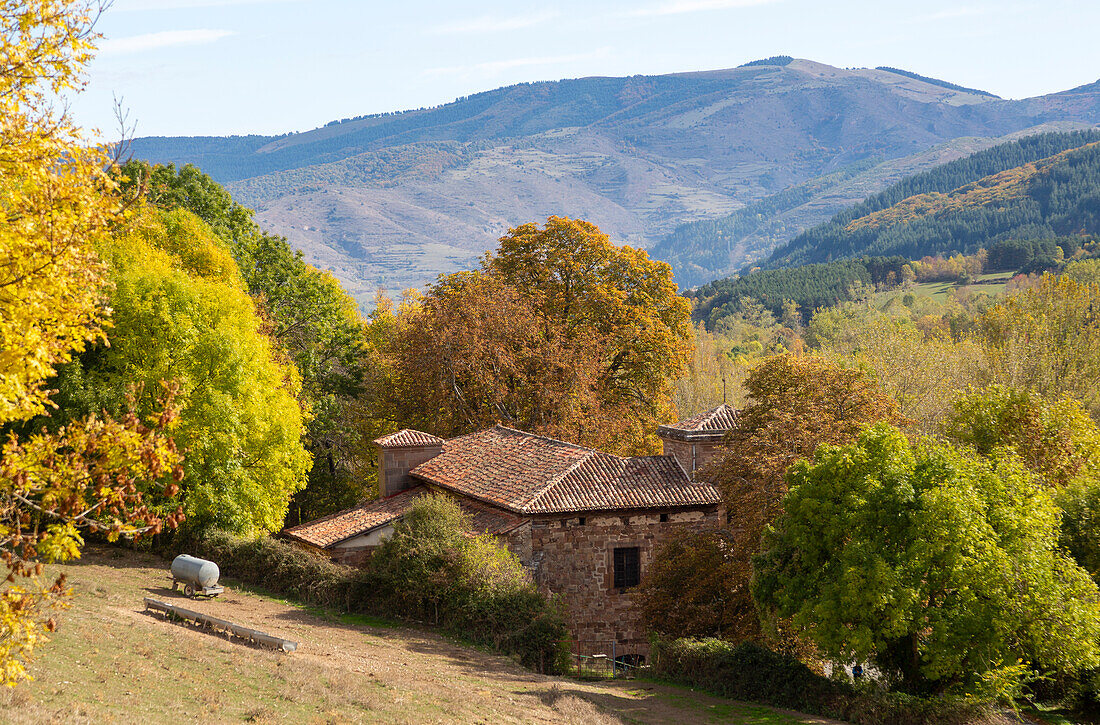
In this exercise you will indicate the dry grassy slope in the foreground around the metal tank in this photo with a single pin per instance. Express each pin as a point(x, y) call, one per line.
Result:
point(112, 662)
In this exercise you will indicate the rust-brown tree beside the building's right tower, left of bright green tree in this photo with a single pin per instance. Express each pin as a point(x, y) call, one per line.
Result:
point(796, 404)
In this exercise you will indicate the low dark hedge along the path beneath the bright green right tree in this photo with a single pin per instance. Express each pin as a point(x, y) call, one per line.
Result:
point(751, 673)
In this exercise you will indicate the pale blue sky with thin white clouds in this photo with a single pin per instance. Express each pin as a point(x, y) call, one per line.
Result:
point(222, 68)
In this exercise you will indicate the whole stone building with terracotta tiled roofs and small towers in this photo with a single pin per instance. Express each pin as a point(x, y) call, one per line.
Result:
point(585, 523)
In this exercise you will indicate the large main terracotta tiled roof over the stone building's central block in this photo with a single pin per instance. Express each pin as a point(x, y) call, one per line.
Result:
point(532, 475)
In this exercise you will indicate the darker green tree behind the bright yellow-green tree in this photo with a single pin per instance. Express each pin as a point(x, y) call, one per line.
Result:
point(312, 320)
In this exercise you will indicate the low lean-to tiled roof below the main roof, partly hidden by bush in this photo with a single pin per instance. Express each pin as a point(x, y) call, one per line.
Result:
point(348, 524)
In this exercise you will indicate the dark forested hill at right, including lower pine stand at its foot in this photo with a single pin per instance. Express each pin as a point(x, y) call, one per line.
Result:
point(1030, 204)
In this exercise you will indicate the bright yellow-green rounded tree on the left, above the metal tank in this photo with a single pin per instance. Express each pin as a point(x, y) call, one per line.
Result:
point(181, 313)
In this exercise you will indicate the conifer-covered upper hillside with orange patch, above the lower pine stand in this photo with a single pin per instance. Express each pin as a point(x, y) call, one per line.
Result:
point(1039, 188)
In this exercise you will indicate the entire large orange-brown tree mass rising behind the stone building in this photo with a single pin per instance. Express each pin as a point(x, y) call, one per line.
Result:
point(591, 334)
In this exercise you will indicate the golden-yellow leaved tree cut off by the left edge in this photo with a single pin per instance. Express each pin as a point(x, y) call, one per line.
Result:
point(57, 203)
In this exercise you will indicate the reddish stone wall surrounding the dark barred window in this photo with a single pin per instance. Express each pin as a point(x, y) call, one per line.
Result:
point(575, 561)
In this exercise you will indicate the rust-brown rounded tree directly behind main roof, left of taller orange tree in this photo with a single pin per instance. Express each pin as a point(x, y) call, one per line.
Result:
point(475, 351)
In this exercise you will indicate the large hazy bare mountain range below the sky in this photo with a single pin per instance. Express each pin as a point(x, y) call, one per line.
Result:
point(394, 200)
